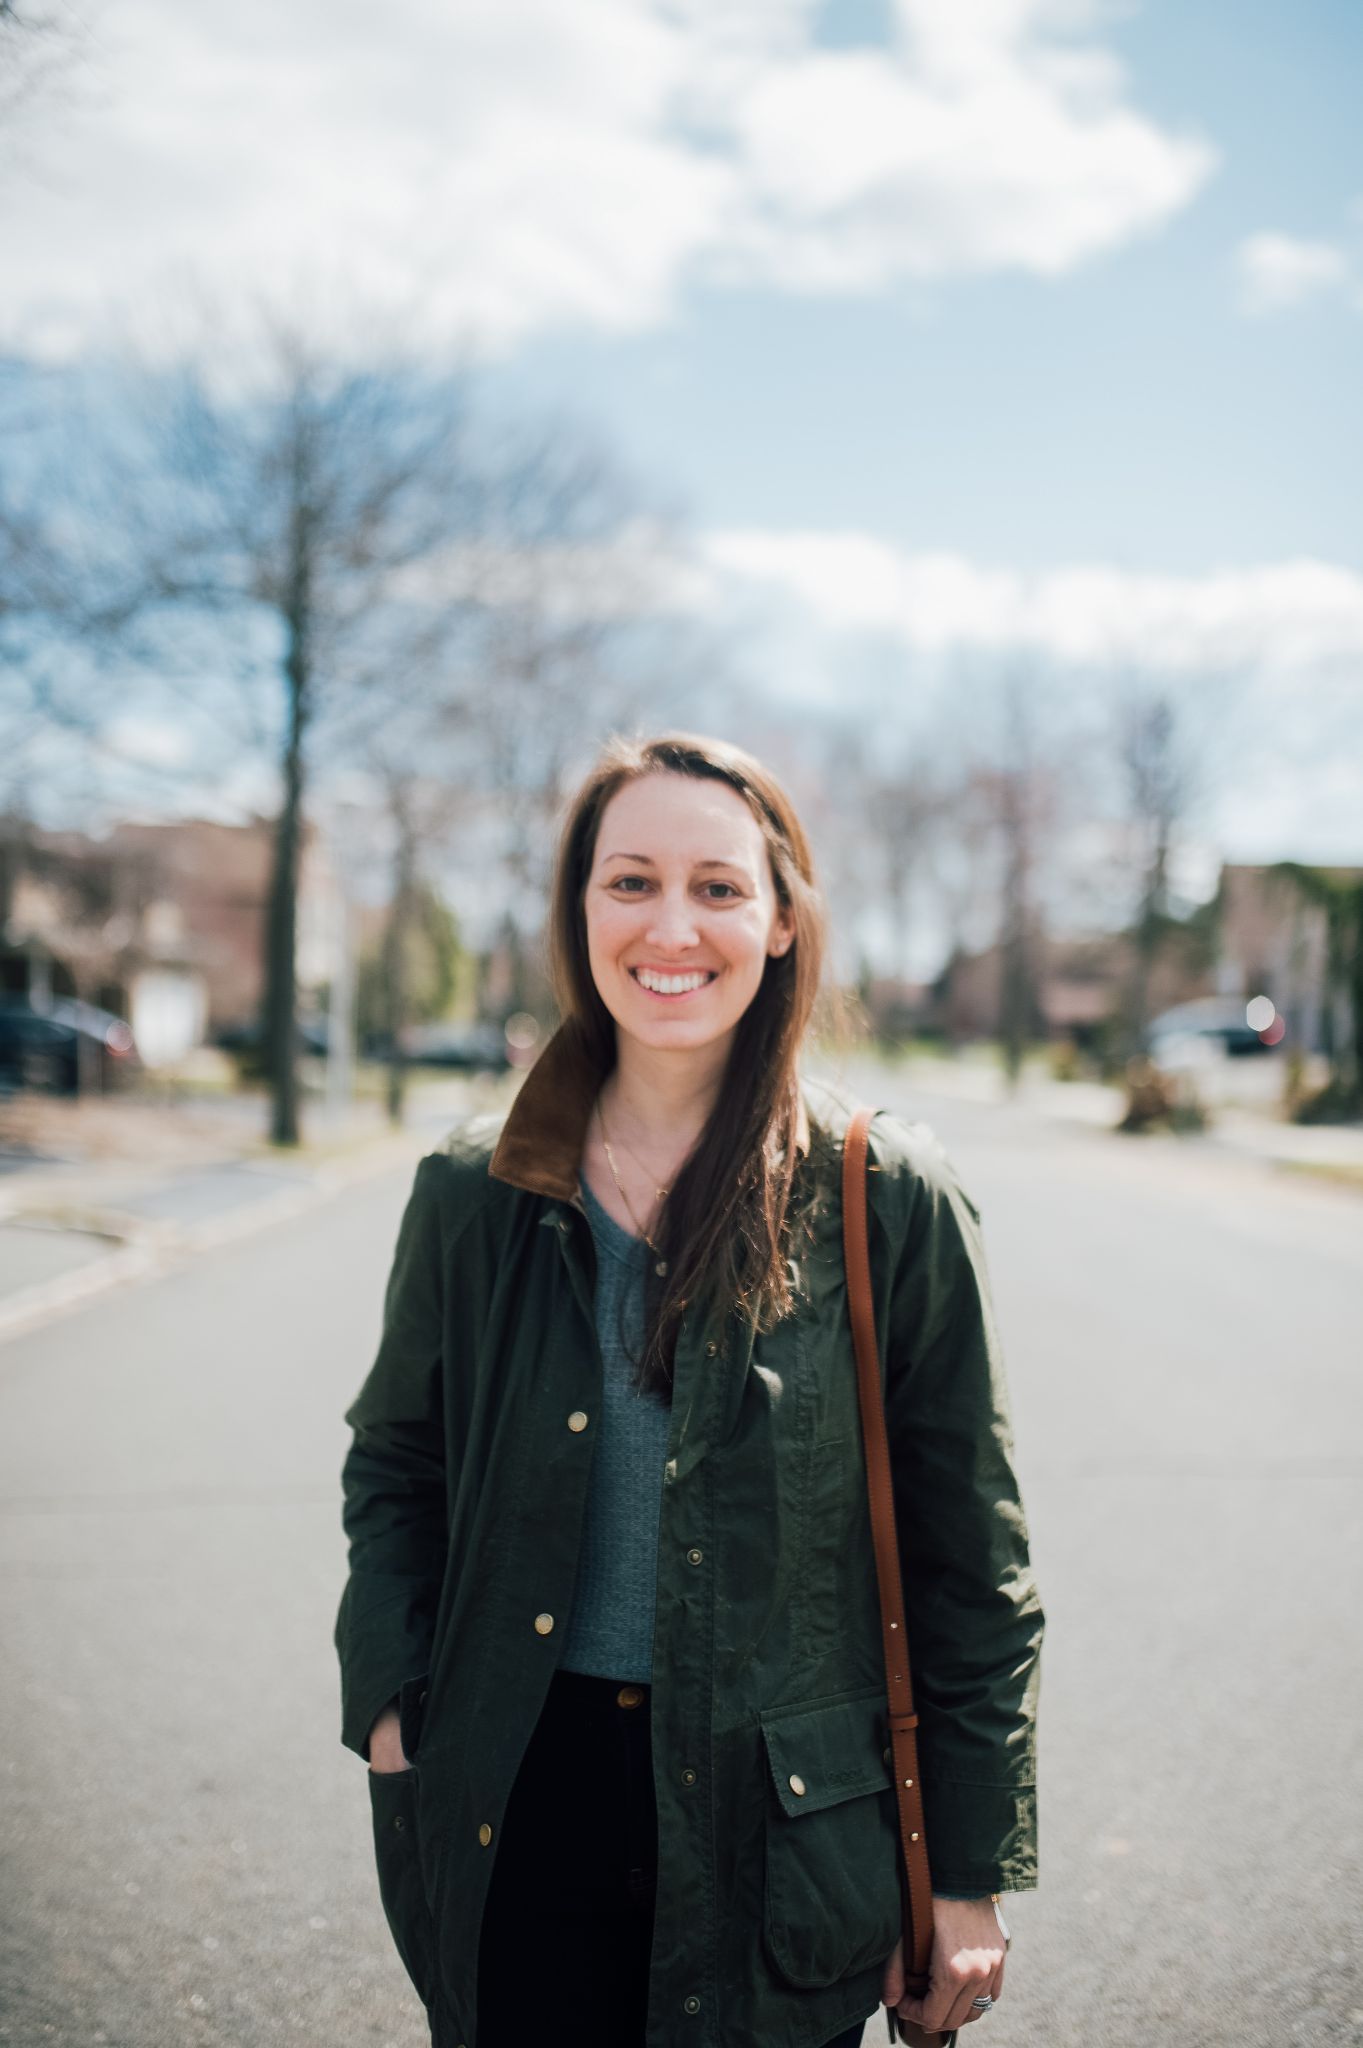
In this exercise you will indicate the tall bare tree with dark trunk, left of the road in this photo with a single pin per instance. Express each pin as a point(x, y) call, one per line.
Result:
point(267, 531)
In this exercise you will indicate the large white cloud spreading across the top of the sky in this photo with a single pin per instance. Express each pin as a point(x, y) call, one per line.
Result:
point(513, 165)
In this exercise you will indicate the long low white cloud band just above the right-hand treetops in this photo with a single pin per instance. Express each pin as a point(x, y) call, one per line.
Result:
point(1282, 617)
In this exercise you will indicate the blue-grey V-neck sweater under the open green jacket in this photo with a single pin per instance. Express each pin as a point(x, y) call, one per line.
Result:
point(611, 1627)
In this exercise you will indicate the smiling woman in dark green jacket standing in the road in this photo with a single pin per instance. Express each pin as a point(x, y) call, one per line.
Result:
point(623, 1701)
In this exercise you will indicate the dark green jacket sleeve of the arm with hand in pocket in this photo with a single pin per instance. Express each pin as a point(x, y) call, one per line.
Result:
point(394, 1482)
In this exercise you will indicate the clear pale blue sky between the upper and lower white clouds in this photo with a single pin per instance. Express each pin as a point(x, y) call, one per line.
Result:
point(1127, 411)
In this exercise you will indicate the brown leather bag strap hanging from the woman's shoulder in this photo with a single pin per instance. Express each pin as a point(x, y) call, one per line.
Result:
point(899, 1680)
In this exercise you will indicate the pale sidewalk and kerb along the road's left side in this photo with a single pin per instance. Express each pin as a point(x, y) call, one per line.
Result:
point(112, 1191)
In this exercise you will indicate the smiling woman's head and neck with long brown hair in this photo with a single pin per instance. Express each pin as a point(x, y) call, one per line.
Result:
point(689, 937)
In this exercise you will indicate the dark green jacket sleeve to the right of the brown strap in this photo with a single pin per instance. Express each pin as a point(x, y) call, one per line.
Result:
point(971, 1598)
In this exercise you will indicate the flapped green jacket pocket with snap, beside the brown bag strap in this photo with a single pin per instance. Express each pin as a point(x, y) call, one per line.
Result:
point(834, 1900)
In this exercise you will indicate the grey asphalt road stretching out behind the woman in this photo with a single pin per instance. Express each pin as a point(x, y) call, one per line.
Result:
point(185, 1848)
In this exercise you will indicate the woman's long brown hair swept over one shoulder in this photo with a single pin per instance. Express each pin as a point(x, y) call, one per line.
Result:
point(726, 1224)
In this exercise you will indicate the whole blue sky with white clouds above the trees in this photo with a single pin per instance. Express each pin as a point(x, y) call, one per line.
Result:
point(961, 331)
